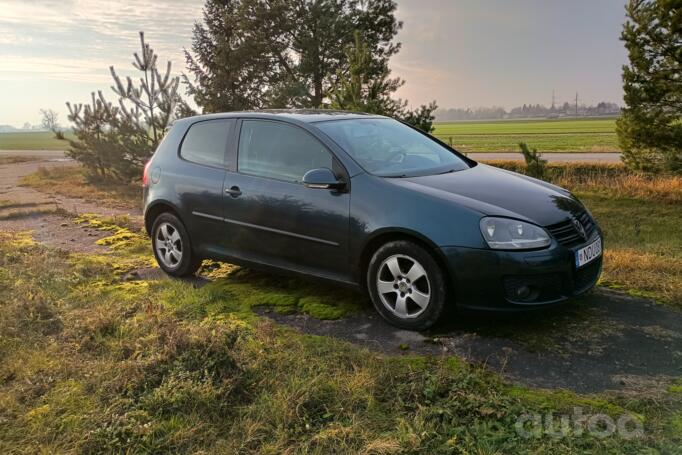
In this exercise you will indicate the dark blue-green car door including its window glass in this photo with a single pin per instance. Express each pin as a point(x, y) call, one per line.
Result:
point(271, 216)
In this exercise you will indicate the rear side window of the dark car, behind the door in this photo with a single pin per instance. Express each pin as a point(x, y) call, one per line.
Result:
point(206, 142)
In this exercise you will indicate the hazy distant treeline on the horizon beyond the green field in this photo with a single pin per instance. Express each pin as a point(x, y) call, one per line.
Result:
point(526, 111)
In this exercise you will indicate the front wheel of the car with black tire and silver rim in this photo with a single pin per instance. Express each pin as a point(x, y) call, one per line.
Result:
point(406, 285)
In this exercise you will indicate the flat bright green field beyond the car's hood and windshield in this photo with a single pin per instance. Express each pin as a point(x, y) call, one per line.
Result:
point(585, 135)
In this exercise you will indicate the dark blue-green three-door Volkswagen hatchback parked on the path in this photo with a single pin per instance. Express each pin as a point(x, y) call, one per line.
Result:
point(370, 202)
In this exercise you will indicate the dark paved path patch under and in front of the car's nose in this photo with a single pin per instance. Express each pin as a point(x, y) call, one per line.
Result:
point(603, 341)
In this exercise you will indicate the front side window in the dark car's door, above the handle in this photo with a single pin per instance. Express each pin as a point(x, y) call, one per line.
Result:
point(279, 151)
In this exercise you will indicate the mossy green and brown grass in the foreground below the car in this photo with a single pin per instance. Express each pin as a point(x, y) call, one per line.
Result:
point(93, 364)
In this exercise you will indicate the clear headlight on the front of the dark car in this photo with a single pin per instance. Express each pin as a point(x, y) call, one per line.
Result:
point(508, 234)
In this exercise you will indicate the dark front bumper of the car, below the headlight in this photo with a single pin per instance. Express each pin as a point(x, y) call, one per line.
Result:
point(492, 280)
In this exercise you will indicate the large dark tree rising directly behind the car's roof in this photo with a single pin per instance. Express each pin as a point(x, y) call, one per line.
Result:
point(250, 54)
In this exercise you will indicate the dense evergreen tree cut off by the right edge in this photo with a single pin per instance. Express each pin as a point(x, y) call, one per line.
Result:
point(650, 127)
